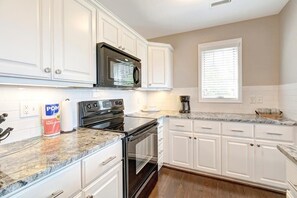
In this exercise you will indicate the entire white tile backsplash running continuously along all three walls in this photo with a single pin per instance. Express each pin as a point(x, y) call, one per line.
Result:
point(12, 96)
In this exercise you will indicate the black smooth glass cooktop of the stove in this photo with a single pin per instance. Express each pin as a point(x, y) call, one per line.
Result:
point(127, 125)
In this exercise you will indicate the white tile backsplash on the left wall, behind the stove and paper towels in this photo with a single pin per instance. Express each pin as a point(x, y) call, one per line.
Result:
point(12, 96)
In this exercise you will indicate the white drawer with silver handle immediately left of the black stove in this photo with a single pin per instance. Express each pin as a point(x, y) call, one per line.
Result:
point(100, 162)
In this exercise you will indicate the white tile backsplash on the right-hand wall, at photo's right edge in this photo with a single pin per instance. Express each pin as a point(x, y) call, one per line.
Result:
point(288, 100)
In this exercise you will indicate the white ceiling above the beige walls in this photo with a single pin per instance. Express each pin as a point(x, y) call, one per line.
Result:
point(156, 18)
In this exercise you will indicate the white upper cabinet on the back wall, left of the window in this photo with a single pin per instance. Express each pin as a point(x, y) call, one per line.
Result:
point(160, 65)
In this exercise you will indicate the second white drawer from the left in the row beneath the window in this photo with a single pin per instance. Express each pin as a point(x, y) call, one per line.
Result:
point(207, 127)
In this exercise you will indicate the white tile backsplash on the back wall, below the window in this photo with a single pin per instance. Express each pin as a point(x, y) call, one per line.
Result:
point(169, 100)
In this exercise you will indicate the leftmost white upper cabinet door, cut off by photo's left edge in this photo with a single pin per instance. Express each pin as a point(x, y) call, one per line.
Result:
point(24, 38)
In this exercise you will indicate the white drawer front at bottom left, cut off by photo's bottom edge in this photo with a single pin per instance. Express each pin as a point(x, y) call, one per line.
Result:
point(67, 183)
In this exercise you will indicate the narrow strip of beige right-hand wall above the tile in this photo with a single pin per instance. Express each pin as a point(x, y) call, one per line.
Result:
point(288, 43)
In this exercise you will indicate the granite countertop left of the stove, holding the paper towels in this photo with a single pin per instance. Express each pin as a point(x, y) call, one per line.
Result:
point(26, 161)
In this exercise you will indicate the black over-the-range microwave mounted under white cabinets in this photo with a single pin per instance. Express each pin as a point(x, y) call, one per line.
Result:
point(116, 68)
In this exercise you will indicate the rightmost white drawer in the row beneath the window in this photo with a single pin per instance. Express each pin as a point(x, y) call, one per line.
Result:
point(280, 133)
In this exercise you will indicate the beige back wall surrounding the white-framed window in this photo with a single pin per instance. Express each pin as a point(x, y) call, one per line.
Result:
point(260, 51)
